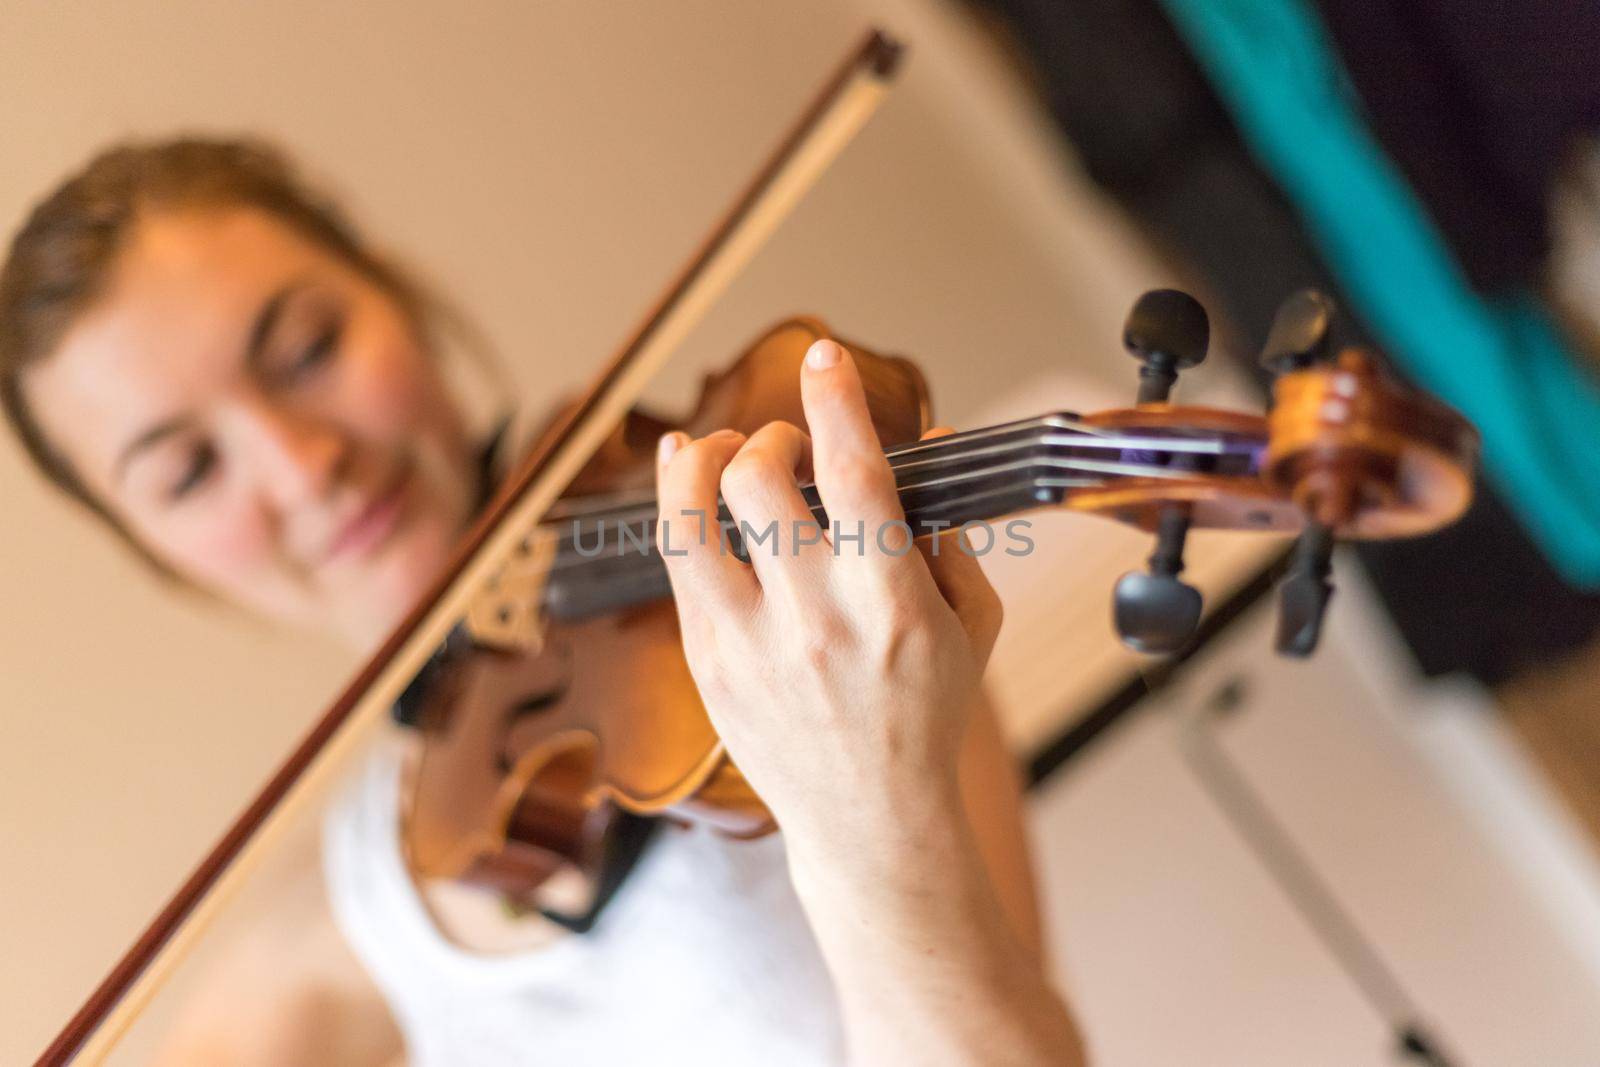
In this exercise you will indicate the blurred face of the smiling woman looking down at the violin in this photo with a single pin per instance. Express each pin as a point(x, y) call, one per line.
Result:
point(265, 420)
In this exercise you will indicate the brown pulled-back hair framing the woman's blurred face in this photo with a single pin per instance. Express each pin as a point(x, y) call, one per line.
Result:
point(63, 257)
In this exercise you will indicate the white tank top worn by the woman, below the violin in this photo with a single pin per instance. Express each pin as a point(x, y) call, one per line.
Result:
point(703, 957)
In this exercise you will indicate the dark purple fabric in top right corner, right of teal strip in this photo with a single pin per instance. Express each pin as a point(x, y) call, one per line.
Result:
point(1478, 103)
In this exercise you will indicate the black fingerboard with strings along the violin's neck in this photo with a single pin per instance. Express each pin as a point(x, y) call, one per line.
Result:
point(607, 556)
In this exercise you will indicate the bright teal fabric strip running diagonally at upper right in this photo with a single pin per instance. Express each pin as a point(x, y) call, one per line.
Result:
point(1500, 362)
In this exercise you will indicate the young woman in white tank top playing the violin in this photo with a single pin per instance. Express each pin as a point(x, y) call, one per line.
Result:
point(204, 354)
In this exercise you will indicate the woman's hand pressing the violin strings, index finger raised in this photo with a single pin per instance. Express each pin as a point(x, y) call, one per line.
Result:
point(839, 671)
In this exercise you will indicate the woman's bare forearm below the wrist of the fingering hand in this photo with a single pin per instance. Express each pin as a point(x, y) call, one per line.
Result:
point(927, 967)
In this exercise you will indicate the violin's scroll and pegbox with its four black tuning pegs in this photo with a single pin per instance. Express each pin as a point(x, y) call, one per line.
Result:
point(1345, 454)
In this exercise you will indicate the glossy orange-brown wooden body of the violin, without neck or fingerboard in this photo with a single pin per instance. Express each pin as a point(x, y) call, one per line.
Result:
point(529, 753)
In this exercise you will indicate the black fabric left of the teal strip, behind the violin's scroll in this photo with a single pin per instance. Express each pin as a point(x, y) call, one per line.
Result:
point(1476, 597)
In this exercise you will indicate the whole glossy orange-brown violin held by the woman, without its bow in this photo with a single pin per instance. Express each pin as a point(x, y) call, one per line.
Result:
point(562, 698)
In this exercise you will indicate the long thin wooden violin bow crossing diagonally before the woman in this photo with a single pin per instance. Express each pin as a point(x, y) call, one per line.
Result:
point(838, 113)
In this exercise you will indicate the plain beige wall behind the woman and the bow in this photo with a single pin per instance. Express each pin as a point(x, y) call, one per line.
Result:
point(550, 164)
